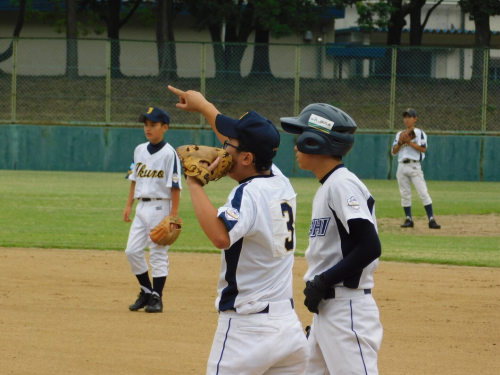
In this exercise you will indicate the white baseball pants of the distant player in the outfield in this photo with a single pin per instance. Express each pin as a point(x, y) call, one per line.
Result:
point(408, 173)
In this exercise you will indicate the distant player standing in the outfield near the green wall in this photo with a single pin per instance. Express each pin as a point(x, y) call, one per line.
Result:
point(411, 146)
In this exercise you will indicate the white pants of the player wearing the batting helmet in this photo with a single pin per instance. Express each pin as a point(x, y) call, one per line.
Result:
point(346, 335)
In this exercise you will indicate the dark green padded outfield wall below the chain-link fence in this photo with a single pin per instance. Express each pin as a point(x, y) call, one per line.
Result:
point(78, 148)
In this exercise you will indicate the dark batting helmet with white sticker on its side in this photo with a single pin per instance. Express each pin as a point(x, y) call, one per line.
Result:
point(323, 128)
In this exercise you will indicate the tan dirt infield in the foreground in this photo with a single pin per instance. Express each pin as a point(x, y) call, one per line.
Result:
point(65, 312)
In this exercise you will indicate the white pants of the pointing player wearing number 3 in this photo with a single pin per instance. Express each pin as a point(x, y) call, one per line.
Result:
point(256, 344)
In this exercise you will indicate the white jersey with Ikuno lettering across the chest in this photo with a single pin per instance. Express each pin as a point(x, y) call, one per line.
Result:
point(155, 175)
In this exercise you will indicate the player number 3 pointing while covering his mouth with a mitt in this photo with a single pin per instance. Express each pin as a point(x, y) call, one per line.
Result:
point(258, 330)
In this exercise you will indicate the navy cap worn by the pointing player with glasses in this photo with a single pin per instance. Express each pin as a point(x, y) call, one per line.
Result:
point(255, 133)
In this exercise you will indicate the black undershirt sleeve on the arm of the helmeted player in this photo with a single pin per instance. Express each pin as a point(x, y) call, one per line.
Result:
point(367, 248)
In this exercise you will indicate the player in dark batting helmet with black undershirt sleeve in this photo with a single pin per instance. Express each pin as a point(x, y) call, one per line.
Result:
point(343, 251)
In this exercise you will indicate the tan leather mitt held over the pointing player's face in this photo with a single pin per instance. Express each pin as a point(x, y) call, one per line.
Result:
point(192, 157)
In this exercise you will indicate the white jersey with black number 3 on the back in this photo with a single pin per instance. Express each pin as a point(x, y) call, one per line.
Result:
point(257, 267)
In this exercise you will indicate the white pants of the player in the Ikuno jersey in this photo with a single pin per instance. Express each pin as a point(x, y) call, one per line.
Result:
point(147, 216)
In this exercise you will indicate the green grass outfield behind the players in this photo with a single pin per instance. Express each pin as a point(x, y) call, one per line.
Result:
point(83, 210)
